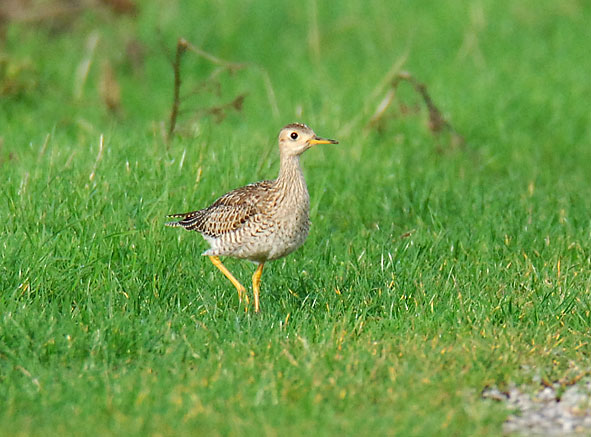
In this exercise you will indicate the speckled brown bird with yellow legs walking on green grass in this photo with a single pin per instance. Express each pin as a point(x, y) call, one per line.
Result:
point(262, 221)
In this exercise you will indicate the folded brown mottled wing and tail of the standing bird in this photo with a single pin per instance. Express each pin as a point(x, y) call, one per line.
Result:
point(227, 213)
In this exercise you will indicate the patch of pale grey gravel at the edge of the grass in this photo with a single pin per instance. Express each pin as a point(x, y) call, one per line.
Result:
point(552, 411)
